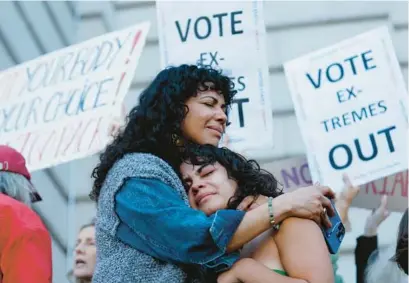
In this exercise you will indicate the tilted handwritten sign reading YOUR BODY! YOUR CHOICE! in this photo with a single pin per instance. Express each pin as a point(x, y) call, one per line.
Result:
point(58, 107)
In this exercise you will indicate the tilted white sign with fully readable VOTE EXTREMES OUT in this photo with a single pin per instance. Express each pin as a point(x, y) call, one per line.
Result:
point(350, 101)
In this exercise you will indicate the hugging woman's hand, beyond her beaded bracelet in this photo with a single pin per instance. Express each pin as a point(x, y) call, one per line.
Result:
point(310, 203)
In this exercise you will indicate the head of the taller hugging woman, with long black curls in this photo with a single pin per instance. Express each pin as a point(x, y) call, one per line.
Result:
point(183, 104)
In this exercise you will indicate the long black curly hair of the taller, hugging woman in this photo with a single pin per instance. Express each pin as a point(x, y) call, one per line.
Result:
point(153, 124)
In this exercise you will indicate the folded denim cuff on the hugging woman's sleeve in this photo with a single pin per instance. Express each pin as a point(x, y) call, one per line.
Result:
point(224, 225)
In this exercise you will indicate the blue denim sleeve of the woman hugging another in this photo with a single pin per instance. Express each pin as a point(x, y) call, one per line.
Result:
point(160, 224)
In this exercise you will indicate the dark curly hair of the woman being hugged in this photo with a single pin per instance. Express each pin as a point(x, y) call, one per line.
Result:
point(251, 179)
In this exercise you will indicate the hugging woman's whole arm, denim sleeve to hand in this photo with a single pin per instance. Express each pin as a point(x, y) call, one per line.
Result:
point(155, 220)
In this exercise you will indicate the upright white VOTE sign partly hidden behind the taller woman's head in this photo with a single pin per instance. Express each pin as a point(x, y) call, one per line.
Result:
point(229, 36)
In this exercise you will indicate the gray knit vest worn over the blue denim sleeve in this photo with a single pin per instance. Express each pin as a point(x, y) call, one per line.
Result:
point(117, 262)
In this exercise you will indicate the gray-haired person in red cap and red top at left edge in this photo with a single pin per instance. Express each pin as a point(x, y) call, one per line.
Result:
point(25, 244)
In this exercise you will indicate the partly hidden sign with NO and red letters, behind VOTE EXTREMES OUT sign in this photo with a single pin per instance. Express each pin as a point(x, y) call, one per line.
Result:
point(294, 173)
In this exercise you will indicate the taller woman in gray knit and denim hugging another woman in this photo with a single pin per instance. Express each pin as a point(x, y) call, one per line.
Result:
point(143, 212)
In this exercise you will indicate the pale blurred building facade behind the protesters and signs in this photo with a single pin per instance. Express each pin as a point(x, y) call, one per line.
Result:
point(29, 29)
